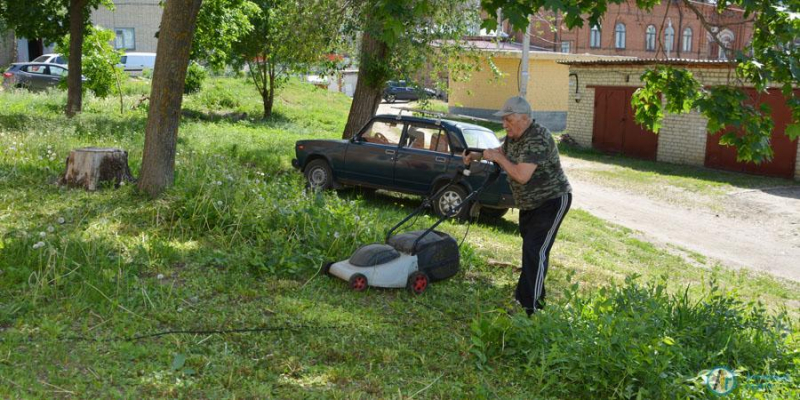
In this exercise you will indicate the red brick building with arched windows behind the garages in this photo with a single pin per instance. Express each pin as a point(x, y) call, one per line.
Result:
point(671, 30)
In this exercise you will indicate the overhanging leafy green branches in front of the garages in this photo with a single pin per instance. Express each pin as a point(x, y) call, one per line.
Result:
point(772, 60)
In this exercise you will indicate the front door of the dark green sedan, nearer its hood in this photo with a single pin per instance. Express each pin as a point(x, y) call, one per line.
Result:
point(370, 157)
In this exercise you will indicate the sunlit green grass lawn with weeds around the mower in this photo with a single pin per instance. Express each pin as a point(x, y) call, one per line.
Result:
point(212, 290)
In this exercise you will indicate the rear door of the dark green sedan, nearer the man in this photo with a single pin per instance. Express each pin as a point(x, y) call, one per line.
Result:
point(424, 155)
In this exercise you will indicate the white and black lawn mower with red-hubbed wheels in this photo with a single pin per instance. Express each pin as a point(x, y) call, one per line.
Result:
point(411, 259)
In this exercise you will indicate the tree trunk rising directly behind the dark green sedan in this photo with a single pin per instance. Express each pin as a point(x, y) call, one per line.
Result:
point(367, 96)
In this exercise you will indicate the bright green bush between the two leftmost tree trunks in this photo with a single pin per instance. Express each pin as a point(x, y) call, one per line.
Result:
point(99, 60)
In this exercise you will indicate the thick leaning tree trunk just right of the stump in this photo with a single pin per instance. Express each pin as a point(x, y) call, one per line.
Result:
point(166, 94)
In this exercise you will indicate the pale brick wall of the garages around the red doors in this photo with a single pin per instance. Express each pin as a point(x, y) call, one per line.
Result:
point(682, 139)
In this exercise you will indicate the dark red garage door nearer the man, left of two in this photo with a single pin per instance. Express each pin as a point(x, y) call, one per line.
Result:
point(614, 127)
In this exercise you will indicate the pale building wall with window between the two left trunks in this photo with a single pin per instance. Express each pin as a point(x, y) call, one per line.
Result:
point(144, 16)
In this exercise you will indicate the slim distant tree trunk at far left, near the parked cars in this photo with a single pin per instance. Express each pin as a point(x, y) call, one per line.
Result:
point(74, 83)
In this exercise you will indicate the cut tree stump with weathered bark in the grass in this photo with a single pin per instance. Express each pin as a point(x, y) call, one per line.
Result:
point(90, 166)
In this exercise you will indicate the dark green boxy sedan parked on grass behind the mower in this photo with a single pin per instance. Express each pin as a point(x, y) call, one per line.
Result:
point(407, 154)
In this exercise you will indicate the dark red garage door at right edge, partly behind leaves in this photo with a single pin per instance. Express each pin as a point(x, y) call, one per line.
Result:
point(785, 150)
